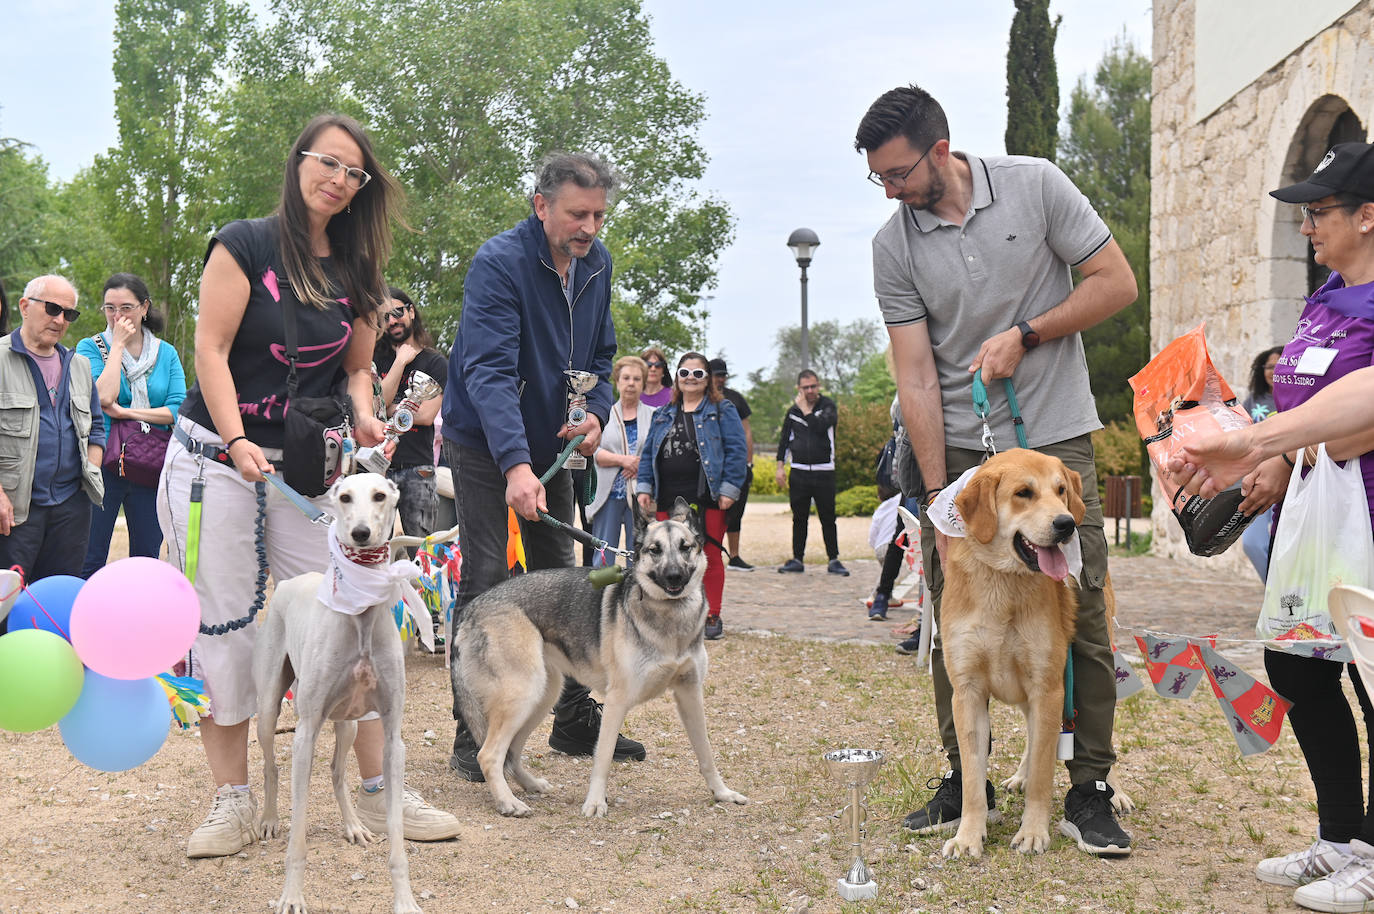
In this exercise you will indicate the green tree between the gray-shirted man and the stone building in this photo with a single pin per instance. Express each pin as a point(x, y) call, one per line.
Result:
point(1107, 152)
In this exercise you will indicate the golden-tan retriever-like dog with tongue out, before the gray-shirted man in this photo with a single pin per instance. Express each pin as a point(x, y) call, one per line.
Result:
point(1008, 621)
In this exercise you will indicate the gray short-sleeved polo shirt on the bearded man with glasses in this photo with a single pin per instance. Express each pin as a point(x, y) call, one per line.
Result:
point(1009, 262)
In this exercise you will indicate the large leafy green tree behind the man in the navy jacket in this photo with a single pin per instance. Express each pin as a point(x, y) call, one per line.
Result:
point(464, 100)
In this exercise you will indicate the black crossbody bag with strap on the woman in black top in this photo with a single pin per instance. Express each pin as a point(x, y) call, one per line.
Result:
point(315, 428)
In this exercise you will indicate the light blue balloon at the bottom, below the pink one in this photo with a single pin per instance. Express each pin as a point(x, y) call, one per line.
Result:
point(117, 724)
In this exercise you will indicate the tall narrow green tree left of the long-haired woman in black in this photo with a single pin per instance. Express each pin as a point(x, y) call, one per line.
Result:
point(168, 65)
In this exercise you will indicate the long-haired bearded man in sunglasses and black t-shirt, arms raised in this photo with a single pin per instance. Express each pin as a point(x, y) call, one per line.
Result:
point(405, 348)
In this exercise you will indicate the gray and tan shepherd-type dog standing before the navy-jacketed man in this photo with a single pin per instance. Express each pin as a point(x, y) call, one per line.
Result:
point(630, 643)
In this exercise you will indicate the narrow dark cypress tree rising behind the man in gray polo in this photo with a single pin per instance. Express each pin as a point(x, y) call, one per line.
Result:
point(1033, 82)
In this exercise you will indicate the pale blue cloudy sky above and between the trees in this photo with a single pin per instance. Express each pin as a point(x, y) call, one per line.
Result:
point(785, 86)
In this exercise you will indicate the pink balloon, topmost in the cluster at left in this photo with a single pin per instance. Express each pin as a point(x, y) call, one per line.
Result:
point(135, 619)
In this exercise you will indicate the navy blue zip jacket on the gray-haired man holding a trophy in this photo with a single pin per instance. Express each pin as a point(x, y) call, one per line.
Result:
point(506, 388)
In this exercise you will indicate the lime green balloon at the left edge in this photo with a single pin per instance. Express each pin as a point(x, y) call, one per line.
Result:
point(41, 680)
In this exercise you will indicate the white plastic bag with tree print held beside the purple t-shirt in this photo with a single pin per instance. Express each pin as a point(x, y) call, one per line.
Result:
point(1324, 541)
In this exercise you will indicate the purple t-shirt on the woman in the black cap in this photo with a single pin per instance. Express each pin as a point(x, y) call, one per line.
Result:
point(1336, 318)
